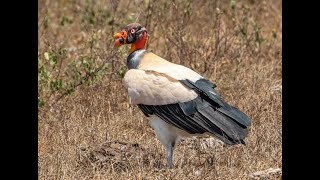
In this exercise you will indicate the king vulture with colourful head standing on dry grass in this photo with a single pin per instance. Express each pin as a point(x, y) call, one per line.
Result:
point(177, 101)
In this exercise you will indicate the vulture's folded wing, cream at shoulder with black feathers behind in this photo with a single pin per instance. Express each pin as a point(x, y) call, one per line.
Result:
point(193, 106)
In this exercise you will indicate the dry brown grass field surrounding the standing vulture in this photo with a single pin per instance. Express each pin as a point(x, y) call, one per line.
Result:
point(94, 133)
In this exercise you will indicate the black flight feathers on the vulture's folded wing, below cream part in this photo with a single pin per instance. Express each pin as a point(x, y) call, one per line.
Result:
point(206, 113)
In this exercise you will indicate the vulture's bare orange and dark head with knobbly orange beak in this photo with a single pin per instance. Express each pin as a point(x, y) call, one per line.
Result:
point(134, 34)
